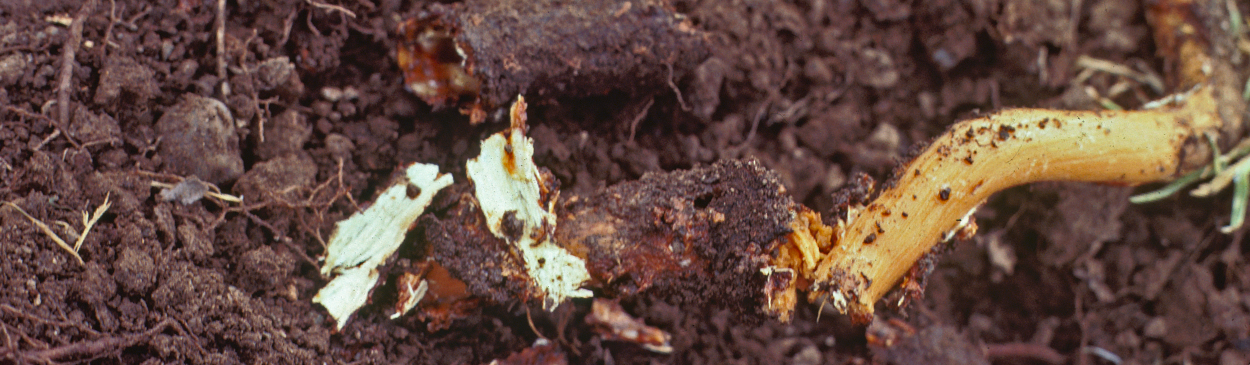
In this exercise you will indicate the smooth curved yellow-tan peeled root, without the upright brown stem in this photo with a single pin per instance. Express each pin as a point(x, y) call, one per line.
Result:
point(934, 196)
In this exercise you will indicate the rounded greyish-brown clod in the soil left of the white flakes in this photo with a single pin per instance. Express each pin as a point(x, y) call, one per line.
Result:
point(198, 138)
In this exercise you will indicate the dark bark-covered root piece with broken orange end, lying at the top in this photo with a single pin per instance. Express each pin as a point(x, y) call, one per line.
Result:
point(549, 49)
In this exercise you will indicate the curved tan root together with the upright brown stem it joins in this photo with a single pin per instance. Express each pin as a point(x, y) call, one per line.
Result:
point(933, 197)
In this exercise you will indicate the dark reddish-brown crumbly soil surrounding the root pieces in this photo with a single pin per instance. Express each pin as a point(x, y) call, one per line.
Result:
point(317, 119)
